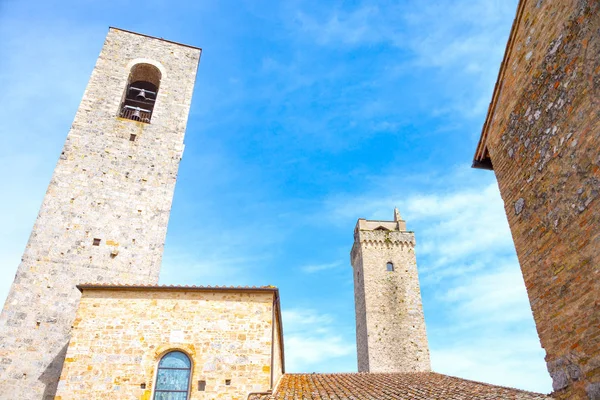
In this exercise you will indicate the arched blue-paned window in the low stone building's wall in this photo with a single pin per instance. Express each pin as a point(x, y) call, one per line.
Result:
point(173, 377)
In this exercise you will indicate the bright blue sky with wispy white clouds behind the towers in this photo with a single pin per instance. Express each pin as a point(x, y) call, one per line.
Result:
point(306, 116)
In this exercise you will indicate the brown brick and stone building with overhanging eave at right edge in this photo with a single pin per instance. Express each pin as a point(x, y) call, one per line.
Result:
point(542, 139)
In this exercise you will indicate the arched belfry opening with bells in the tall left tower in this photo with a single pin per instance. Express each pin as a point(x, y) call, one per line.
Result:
point(140, 94)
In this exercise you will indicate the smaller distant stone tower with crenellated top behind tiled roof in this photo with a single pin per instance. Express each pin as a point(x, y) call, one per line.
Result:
point(390, 326)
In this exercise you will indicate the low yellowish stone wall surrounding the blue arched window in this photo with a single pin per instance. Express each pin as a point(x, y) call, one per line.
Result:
point(120, 335)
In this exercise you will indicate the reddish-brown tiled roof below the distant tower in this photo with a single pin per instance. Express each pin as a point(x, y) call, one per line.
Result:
point(389, 386)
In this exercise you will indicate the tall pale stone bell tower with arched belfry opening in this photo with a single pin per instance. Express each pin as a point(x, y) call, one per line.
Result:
point(104, 217)
